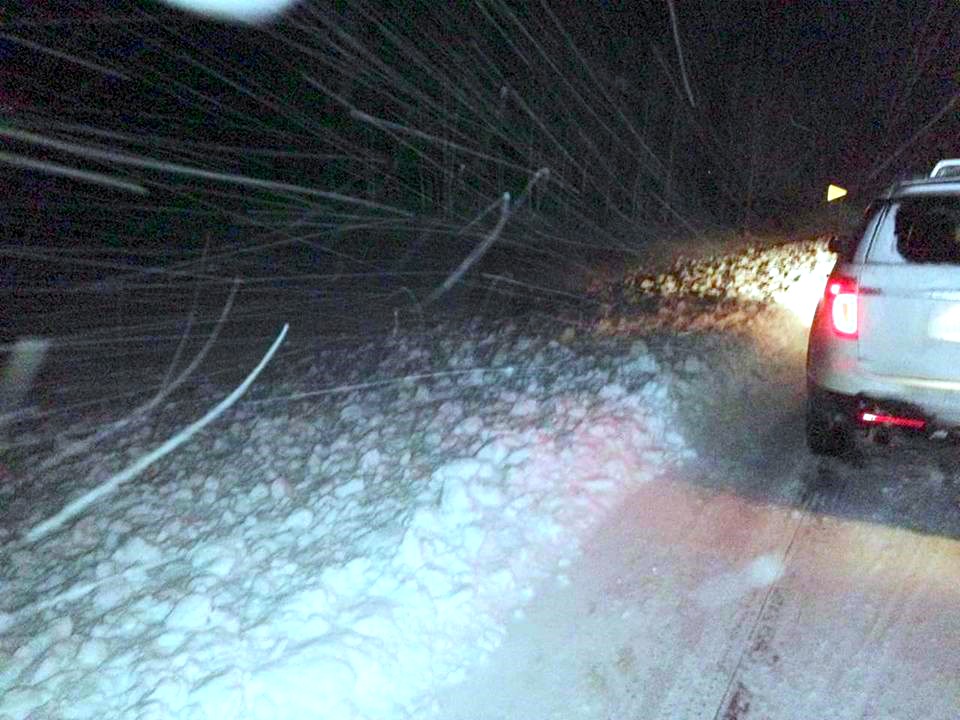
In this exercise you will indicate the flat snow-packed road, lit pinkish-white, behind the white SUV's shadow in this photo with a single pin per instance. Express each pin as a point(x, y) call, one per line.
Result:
point(696, 604)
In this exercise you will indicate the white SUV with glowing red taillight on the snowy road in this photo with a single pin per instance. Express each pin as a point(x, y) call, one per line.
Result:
point(884, 348)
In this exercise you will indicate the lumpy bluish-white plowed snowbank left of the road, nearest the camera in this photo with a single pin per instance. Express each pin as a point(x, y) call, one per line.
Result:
point(337, 555)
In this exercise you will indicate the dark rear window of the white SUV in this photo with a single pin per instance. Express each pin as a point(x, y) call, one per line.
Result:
point(927, 229)
